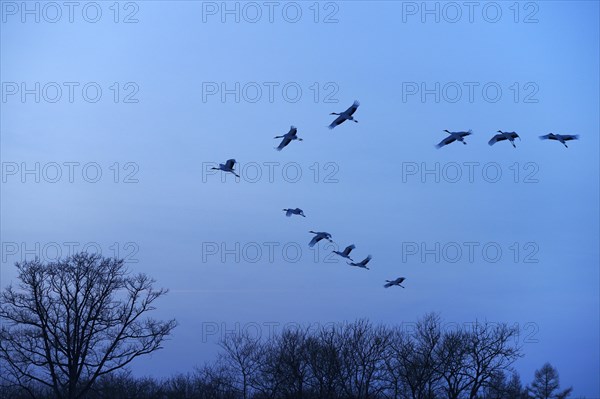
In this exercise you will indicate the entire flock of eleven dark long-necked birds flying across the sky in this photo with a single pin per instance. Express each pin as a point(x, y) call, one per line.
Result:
point(347, 115)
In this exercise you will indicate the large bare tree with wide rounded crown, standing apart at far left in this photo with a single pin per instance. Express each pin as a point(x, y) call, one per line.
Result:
point(69, 322)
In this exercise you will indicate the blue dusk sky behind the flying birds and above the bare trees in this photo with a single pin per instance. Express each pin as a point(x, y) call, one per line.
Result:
point(354, 180)
